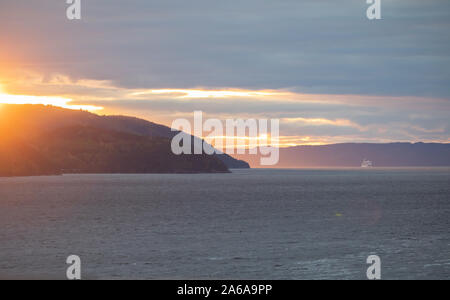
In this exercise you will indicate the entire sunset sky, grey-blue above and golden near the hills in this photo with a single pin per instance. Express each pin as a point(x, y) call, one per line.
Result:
point(327, 72)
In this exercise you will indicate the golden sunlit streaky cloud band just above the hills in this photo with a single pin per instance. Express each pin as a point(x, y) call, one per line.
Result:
point(305, 118)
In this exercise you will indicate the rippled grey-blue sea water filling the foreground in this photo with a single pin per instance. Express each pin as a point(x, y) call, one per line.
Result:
point(251, 224)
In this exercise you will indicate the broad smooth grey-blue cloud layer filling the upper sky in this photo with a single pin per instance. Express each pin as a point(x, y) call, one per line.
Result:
point(319, 47)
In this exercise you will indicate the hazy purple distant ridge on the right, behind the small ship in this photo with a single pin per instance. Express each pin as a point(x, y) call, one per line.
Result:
point(352, 155)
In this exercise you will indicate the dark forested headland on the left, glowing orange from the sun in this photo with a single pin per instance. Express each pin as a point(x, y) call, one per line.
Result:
point(47, 140)
